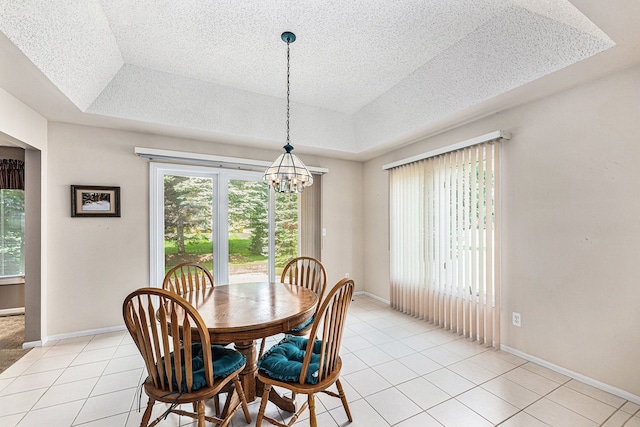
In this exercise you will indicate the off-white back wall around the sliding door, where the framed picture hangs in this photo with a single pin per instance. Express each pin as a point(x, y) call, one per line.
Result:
point(95, 262)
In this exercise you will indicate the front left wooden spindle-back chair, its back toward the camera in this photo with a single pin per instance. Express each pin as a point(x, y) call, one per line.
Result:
point(182, 366)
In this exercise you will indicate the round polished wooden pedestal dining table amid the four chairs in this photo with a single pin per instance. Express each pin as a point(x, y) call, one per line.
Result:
point(240, 313)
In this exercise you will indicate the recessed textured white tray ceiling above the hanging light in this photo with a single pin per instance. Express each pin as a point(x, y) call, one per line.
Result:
point(364, 73)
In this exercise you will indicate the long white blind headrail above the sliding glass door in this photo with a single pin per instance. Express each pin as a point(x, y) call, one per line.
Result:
point(153, 153)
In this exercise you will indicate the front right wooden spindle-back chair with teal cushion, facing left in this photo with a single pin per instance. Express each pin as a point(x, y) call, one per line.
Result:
point(309, 365)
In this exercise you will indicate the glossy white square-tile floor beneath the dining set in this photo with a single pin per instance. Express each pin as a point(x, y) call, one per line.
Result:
point(397, 371)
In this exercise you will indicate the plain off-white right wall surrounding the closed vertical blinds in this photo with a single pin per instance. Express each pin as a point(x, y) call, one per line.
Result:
point(570, 235)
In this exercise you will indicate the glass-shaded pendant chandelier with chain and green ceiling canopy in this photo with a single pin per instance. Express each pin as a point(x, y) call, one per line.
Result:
point(288, 174)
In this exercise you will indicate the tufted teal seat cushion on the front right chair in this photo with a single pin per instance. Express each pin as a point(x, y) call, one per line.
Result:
point(284, 360)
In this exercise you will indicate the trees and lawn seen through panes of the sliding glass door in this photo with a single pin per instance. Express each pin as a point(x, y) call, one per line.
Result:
point(189, 218)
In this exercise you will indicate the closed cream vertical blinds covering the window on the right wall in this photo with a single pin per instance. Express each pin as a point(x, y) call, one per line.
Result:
point(445, 229)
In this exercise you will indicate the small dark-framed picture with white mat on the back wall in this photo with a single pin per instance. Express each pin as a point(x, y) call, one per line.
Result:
point(96, 201)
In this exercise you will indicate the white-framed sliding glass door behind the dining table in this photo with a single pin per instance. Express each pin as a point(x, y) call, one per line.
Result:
point(223, 219)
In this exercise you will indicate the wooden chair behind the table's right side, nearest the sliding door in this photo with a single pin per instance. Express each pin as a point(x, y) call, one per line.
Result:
point(309, 273)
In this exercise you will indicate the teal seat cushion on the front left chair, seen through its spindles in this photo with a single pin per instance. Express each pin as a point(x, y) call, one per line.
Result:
point(225, 362)
